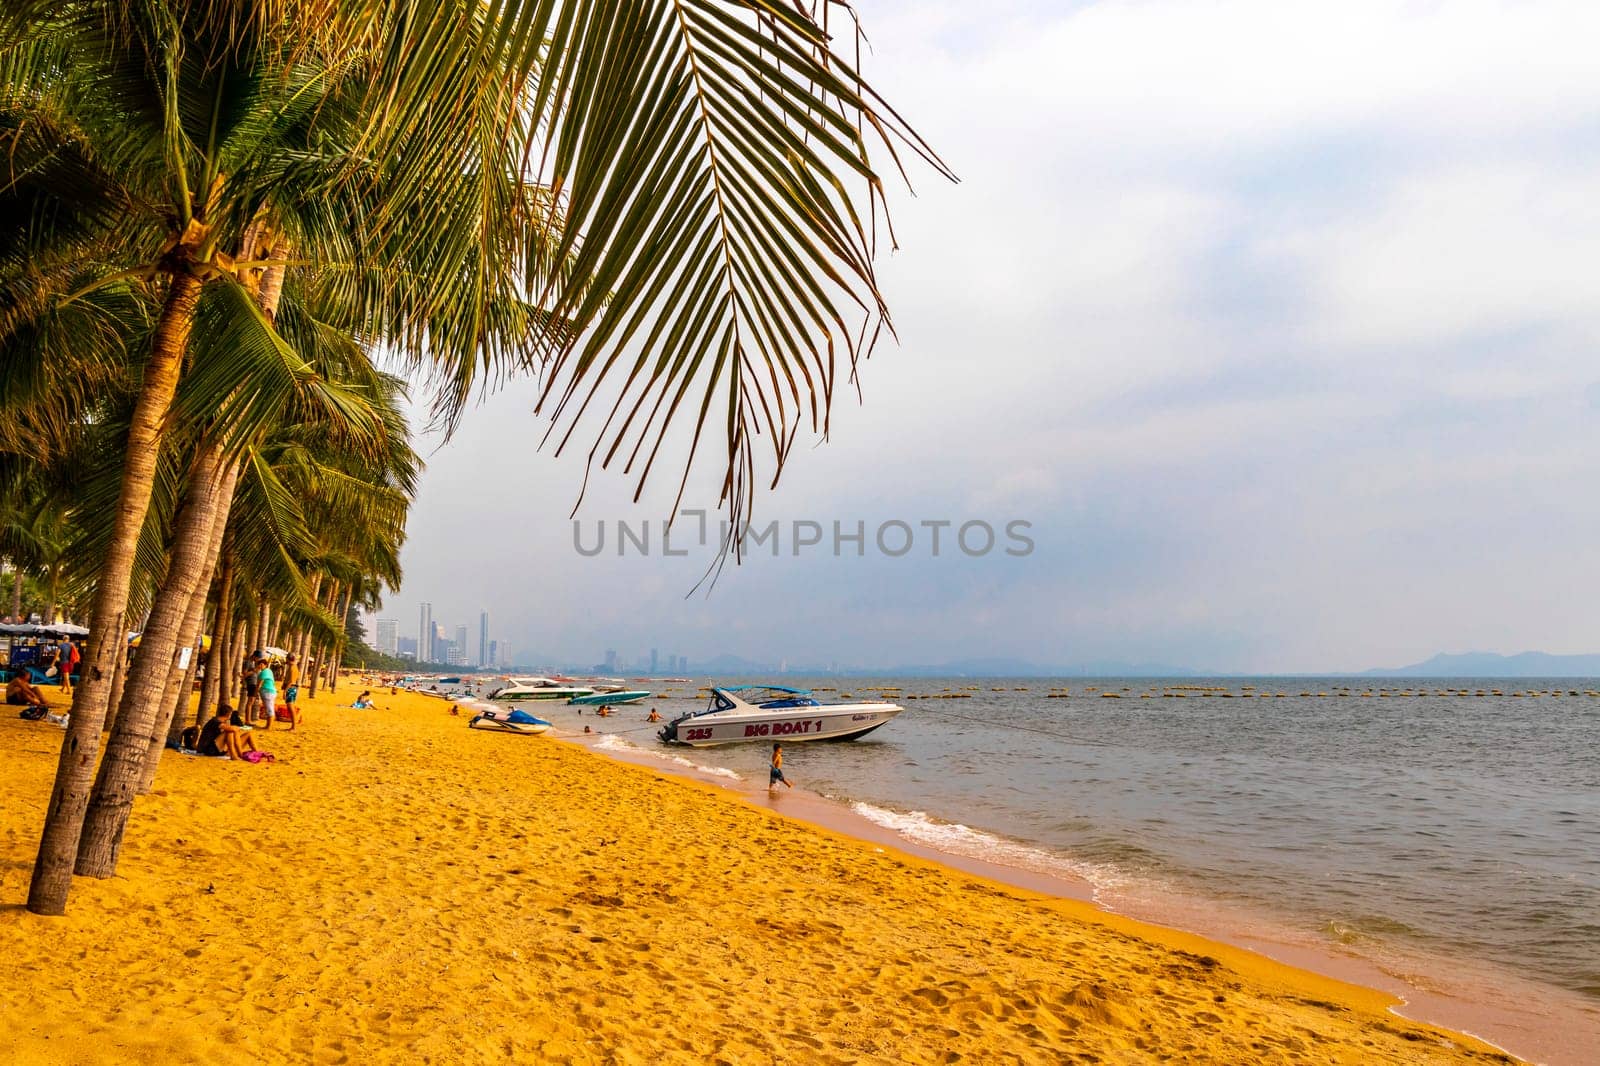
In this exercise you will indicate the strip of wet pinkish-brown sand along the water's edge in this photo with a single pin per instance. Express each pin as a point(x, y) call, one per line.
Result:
point(1505, 1012)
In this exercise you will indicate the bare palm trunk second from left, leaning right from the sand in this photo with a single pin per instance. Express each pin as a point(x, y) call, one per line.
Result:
point(124, 764)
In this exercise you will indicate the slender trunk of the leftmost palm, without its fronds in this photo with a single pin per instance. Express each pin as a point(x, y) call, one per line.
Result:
point(70, 796)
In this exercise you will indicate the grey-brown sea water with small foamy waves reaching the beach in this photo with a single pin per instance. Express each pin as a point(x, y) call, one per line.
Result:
point(1404, 822)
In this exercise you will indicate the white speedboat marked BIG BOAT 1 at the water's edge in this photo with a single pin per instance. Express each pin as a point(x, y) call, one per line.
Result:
point(774, 713)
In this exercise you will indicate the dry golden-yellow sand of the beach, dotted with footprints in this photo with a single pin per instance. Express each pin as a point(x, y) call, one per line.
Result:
point(399, 888)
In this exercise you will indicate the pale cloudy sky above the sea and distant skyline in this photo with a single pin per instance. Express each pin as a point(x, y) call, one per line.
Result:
point(1274, 323)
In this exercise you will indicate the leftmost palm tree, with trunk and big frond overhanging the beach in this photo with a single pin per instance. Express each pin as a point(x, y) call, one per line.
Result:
point(689, 225)
